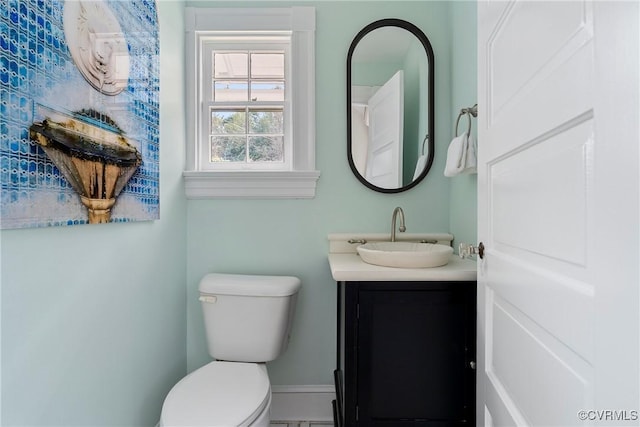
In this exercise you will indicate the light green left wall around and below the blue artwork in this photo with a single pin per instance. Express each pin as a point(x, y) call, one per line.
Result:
point(93, 316)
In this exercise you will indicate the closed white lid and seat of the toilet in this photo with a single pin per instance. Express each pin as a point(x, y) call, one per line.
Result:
point(218, 394)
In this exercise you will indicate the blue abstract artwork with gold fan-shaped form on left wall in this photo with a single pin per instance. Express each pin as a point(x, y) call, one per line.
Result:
point(79, 112)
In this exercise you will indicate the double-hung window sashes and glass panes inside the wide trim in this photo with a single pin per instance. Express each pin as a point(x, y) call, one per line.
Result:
point(246, 105)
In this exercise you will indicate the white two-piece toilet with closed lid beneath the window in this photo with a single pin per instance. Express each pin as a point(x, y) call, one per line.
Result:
point(247, 322)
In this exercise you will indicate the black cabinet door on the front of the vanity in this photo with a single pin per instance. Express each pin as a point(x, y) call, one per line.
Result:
point(415, 349)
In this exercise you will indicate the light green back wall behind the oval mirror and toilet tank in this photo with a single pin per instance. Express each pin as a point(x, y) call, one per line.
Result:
point(290, 236)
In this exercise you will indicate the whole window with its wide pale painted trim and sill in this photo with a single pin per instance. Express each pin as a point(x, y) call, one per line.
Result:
point(250, 113)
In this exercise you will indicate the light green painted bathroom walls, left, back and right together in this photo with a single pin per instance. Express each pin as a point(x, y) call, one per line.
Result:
point(98, 322)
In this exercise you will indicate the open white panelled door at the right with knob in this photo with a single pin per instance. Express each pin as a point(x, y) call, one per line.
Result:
point(558, 187)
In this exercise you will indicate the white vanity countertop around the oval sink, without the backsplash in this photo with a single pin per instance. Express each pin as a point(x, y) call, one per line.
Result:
point(349, 267)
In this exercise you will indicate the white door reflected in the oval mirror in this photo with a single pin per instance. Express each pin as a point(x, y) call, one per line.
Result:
point(386, 123)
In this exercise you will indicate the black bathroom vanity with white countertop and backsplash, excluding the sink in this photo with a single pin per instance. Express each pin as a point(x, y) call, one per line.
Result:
point(406, 339)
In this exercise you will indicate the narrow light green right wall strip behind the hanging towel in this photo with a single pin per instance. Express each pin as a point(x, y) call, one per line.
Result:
point(463, 206)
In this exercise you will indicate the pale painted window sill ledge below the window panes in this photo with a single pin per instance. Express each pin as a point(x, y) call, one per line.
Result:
point(250, 184)
